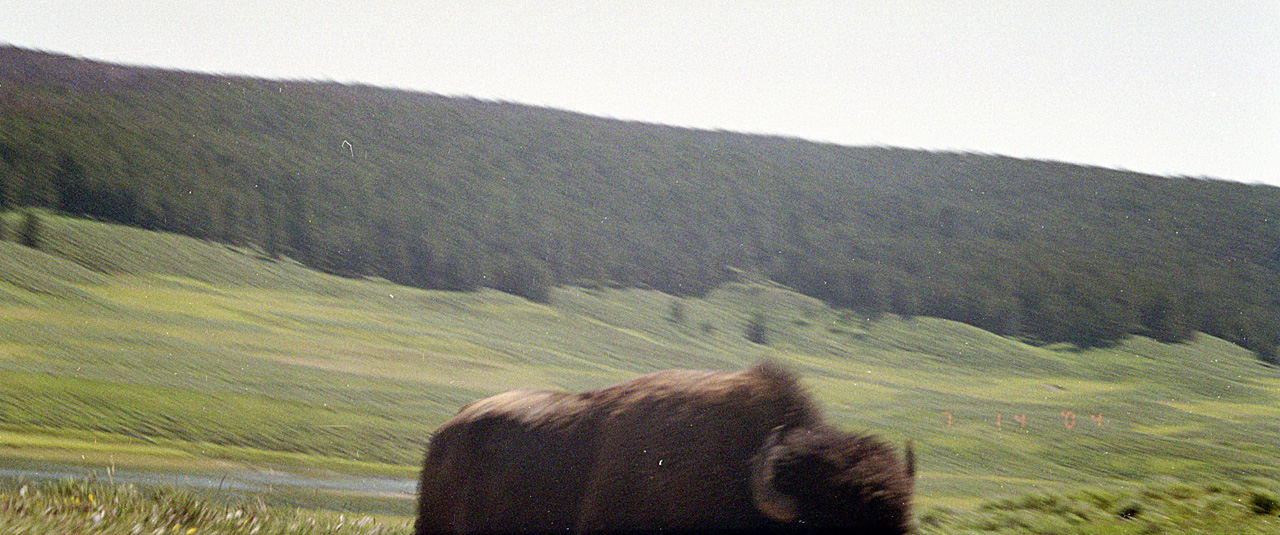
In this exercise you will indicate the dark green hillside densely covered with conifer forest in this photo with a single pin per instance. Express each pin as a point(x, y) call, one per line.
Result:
point(449, 193)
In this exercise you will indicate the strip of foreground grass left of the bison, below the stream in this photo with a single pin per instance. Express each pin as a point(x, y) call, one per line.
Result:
point(84, 507)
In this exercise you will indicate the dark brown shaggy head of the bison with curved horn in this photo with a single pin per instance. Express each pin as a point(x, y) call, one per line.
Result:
point(828, 479)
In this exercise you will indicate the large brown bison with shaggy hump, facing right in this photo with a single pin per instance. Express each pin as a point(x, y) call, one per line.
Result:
point(674, 451)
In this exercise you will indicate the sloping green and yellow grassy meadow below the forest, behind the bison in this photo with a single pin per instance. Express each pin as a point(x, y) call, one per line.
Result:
point(131, 349)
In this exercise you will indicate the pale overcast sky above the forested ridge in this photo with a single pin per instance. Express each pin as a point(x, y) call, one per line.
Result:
point(1167, 88)
